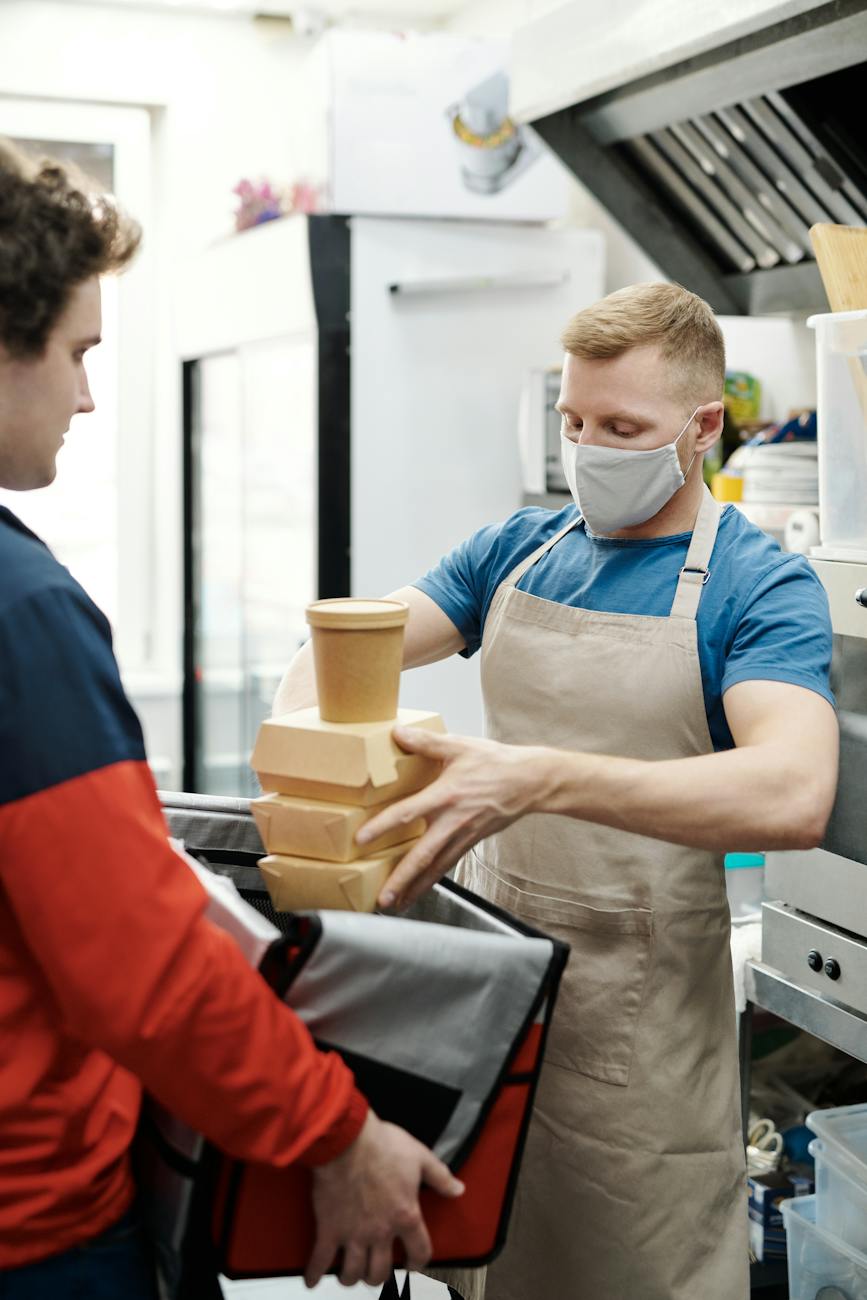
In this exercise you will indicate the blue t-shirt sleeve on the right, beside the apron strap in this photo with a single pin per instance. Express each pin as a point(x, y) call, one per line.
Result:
point(783, 632)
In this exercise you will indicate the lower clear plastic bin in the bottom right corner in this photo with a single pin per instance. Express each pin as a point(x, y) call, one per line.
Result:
point(818, 1259)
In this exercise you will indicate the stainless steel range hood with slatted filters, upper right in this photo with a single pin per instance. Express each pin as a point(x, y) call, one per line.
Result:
point(719, 163)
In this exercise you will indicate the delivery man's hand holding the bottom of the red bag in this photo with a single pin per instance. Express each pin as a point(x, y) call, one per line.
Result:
point(367, 1198)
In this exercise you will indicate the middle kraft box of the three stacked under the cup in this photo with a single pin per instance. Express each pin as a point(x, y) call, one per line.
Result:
point(314, 829)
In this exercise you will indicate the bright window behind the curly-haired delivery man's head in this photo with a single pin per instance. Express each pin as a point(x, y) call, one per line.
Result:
point(97, 517)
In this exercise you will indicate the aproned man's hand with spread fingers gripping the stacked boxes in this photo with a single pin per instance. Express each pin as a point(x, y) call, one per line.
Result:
point(484, 787)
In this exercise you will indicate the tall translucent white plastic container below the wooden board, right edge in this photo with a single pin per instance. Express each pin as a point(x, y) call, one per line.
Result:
point(842, 379)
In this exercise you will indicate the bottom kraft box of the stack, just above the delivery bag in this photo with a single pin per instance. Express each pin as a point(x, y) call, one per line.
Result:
point(301, 885)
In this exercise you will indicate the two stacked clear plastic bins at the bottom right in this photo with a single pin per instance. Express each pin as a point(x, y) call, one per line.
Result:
point(827, 1233)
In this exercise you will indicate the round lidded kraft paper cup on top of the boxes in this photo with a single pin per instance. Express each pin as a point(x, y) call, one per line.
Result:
point(358, 653)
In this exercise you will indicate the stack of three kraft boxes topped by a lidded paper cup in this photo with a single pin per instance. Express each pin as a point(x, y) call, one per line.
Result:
point(330, 770)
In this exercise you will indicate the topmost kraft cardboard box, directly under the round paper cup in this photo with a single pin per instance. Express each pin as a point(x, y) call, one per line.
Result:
point(356, 764)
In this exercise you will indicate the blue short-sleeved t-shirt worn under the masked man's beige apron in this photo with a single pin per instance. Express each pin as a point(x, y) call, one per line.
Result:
point(764, 614)
